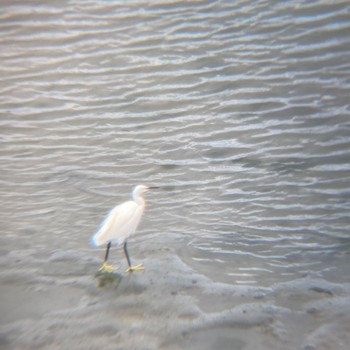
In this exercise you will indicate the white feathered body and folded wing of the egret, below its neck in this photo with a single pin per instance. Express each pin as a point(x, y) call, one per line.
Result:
point(119, 223)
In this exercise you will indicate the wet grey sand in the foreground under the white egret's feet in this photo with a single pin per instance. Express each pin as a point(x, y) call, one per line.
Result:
point(61, 303)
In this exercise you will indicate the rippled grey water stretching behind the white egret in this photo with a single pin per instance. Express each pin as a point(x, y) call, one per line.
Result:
point(239, 110)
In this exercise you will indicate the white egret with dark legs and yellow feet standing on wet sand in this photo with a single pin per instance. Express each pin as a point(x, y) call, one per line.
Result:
point(120, 223)
